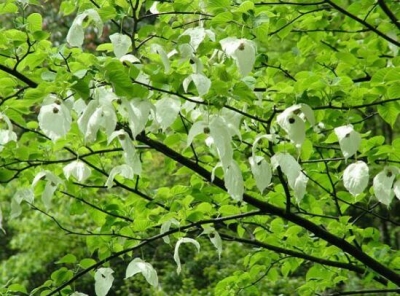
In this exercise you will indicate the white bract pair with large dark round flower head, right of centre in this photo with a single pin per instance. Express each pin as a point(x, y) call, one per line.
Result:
point(292, 120)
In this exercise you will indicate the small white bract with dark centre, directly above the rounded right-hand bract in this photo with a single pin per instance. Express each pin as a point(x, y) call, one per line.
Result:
point(349, 140)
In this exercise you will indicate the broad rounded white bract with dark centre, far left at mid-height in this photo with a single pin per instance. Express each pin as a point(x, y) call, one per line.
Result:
point(54, 118)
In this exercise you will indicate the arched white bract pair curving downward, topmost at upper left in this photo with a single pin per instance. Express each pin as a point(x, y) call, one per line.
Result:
point(76, 33)
